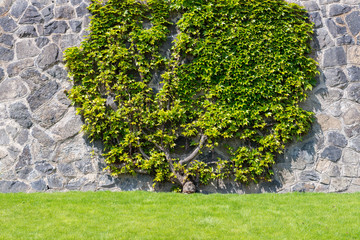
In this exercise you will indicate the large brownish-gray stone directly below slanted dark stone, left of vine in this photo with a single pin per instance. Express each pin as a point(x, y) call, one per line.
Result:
point(49, 114)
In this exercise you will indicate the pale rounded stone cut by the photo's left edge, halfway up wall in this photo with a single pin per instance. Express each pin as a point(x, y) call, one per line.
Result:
point(11, 89)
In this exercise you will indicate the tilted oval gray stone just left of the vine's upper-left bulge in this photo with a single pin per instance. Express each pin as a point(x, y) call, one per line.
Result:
point(49, 56)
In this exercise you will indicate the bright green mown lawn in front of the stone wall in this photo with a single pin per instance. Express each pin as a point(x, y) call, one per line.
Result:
point(144, 215)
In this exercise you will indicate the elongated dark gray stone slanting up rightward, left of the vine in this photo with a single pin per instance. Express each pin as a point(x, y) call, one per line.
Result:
point(41, 95)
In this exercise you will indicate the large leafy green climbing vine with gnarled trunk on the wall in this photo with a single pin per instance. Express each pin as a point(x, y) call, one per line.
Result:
point(191, 91)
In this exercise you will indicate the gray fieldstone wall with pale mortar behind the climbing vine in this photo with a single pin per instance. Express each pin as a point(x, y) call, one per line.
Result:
point(41, 148)
